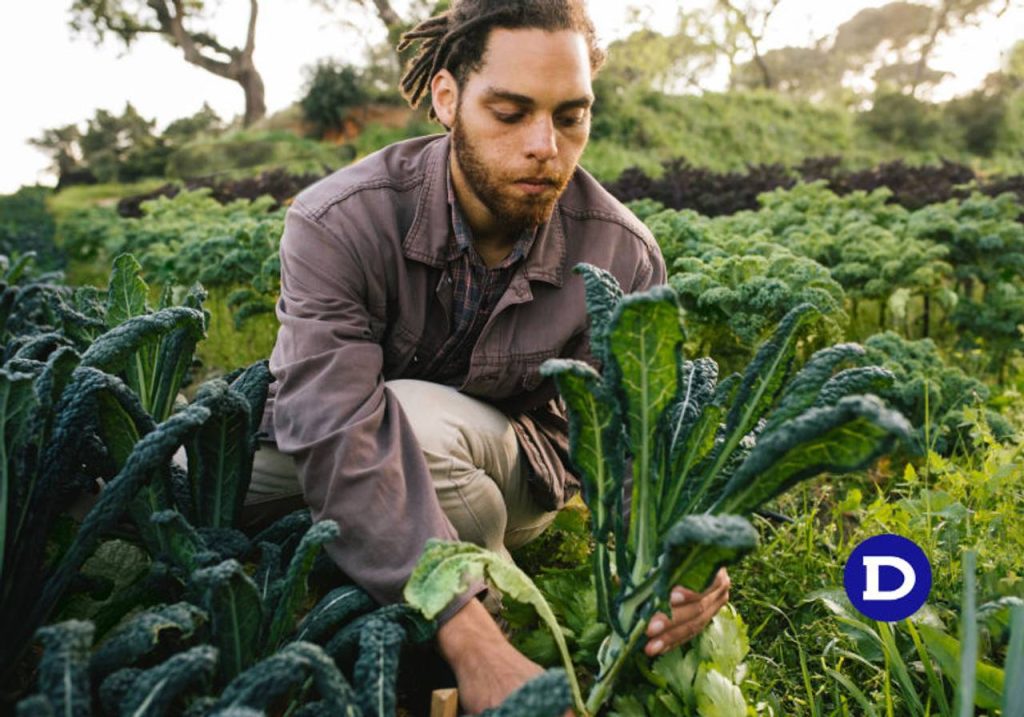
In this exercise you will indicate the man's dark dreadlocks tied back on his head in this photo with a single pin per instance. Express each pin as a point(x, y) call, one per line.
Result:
point(455, 40)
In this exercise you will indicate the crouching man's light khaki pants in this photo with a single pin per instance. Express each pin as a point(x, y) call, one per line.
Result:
point(479, 472)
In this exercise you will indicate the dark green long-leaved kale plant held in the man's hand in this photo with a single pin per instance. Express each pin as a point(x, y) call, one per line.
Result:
point(703, 454)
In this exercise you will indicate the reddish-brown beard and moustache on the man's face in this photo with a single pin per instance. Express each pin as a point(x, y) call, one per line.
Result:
point(496, 190)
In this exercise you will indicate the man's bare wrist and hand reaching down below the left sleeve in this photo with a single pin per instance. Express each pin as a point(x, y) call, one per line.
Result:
point(486, 665)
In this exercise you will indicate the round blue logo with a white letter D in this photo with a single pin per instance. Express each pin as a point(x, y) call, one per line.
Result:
point(888, 578)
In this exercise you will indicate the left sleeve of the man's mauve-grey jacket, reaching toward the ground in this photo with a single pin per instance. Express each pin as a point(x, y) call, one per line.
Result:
point(359, 462)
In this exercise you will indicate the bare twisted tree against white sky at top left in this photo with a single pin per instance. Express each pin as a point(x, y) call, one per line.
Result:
point(130, 20)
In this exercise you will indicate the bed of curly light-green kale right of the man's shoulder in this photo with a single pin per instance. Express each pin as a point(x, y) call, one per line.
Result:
point(953, 271)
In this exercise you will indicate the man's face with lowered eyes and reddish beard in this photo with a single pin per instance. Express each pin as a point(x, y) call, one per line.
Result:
point(523, 121)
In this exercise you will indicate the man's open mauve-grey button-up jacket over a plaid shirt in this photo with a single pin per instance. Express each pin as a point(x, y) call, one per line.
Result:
point(363, 302)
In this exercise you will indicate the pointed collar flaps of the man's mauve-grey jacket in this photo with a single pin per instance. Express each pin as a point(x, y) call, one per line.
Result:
point(428, 239)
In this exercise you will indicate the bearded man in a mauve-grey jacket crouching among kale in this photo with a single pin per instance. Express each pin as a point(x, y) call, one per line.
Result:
point(422, 288)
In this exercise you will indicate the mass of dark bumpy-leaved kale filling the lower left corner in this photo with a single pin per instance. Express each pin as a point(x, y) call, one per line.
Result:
point(99, 400)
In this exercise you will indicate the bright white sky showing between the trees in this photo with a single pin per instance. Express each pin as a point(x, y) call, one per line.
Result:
point(51, 79)
